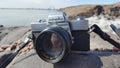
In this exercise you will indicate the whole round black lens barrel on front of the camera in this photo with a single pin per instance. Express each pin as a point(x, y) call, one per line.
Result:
point(53, 44)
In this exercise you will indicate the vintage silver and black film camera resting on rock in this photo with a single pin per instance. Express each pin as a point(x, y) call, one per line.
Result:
point(56, 37)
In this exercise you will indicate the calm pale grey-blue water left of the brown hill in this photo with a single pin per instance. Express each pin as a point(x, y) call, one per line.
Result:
point(21, 17)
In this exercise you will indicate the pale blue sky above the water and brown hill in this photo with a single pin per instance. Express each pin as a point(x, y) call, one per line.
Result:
point(50, 3)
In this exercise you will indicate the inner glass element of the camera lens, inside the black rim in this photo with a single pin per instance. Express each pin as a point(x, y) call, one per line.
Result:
point(52, 45)
